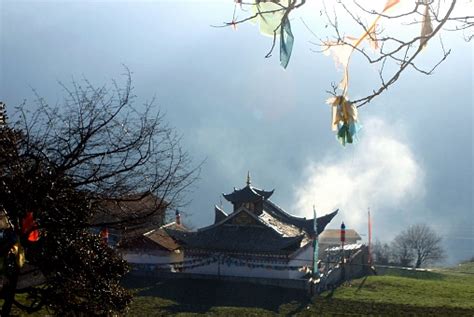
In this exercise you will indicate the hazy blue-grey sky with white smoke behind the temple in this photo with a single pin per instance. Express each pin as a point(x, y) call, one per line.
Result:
point(241, 112)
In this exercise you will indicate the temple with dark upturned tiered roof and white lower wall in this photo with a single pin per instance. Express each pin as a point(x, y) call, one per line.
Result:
point(256, 239)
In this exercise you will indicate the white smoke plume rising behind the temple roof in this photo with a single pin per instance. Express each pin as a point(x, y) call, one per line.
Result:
point(381, 173)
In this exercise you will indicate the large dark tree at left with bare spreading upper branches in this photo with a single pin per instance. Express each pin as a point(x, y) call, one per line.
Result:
point(56, 164)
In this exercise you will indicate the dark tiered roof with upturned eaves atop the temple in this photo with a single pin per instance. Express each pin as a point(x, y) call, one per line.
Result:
point(271, 230)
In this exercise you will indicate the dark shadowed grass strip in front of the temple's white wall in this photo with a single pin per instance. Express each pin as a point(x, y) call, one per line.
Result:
point(190, 297)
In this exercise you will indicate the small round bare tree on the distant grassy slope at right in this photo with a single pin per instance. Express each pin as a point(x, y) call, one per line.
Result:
point(419, 244)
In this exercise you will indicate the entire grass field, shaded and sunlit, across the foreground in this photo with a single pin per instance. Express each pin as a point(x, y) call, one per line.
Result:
point(443, 292)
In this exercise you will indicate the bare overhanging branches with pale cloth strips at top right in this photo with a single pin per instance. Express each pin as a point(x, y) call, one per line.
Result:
point(390, 51)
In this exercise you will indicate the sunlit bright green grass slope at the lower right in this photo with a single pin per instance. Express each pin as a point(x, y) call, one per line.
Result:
point(446, 292)
